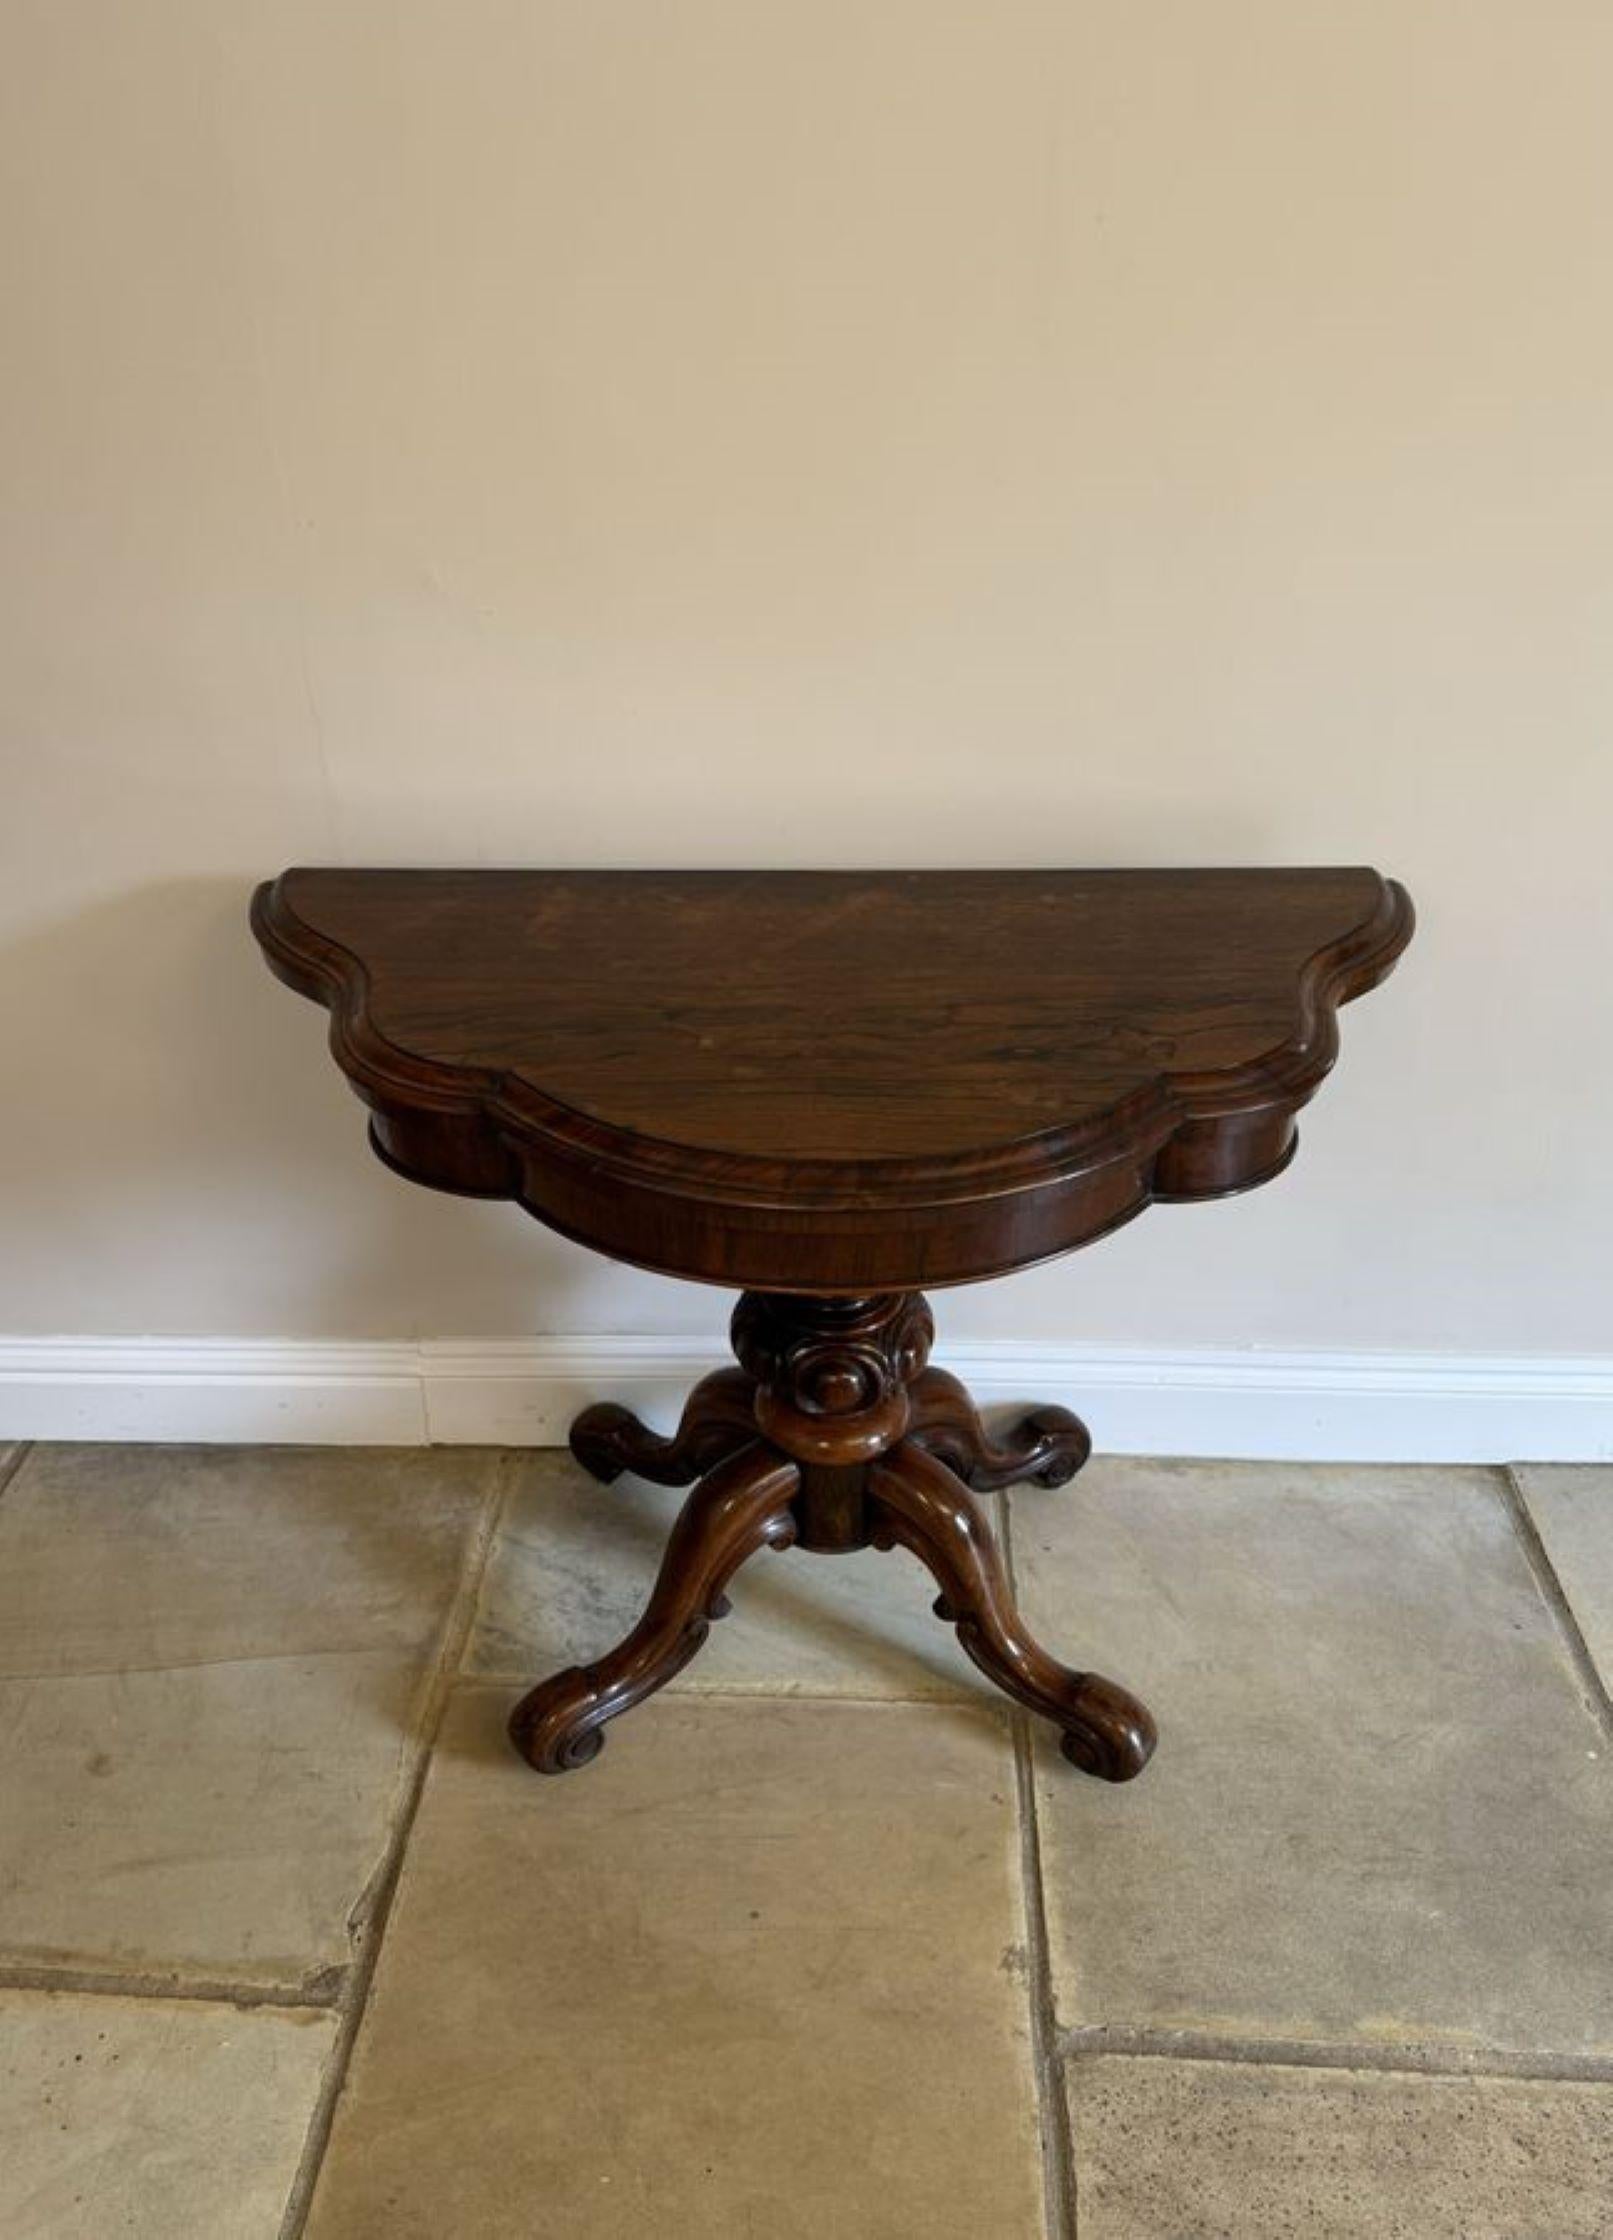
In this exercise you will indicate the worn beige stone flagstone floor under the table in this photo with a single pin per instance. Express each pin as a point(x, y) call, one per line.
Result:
point(830, 1941)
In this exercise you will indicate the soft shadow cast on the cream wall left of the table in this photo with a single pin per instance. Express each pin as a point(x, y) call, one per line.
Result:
point(185, 1159)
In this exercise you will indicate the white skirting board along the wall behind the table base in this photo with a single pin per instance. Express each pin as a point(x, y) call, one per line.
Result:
point(1350, 1408)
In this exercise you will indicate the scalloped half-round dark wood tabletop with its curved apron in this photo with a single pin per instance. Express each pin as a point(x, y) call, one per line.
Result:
point(835, 1081)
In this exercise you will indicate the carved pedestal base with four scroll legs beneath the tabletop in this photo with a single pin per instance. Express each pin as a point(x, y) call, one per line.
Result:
point(832, 1435)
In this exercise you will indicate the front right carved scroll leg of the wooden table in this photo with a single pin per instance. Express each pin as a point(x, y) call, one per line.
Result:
point(920, 1504)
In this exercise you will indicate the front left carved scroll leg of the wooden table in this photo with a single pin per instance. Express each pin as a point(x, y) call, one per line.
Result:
point(743, 1506)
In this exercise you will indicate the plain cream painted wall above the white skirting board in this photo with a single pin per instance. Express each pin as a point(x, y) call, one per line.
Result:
point(864, 431)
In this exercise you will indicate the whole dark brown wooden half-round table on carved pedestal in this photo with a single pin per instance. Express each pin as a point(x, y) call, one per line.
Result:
point(832, 1090)
